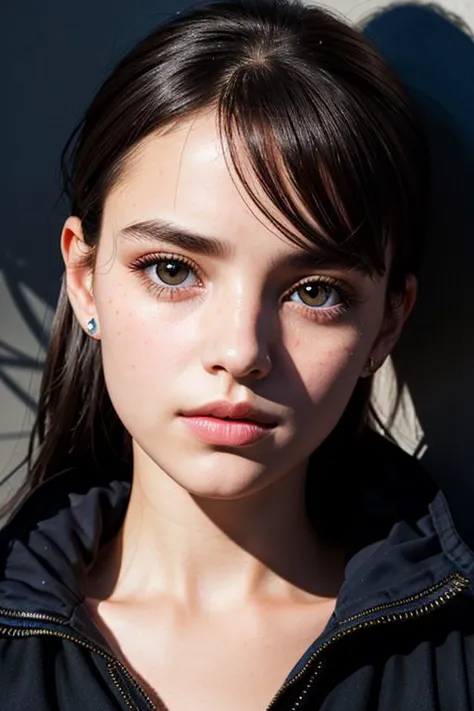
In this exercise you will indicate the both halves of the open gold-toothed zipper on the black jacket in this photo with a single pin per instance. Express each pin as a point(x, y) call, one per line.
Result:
point(450, 586)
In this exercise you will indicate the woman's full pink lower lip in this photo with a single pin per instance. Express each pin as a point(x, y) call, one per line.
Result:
point(231, 433)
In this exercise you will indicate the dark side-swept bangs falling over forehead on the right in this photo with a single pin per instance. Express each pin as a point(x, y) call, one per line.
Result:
point(320, 156)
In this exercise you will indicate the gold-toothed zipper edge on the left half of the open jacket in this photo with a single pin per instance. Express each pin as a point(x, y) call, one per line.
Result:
point(112, 662)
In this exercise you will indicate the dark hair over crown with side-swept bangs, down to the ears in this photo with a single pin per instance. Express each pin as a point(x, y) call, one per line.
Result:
point(336, 152)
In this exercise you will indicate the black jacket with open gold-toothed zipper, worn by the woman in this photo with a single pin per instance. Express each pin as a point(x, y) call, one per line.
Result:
point(401, 637)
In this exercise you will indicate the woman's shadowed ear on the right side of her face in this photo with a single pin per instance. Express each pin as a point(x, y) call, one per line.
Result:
point(392, 325)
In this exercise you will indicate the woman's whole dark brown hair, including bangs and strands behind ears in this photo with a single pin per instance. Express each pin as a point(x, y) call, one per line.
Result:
point(332, 139)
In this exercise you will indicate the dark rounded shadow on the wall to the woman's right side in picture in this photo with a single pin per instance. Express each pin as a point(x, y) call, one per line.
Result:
point(434, 54)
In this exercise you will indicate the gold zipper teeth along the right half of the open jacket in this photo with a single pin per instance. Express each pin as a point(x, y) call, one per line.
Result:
point(458, 582)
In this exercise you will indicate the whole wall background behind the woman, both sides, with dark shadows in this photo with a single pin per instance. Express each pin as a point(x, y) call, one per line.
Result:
point(58, 53)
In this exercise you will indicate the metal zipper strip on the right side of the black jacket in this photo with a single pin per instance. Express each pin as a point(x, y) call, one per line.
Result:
point(451, 586)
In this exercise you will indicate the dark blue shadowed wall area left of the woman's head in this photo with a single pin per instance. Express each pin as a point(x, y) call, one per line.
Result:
point(57, 55)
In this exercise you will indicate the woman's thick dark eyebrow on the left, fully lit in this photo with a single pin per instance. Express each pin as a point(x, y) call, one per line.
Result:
point(179, 237)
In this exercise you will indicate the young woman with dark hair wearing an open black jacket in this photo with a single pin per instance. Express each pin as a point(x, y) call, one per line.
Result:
point(211, 524)
